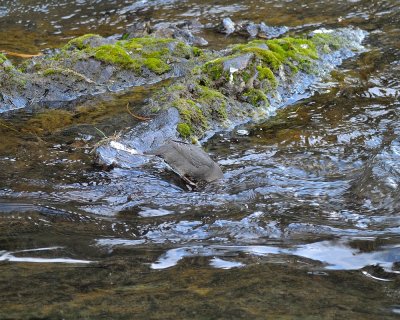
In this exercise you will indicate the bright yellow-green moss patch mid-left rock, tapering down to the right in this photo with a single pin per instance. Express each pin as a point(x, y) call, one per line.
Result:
point(116, 55)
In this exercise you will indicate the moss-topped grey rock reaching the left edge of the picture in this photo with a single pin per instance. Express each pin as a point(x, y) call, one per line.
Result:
point(91, 65)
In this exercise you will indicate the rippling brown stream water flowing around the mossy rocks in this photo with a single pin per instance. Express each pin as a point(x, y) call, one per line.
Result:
point(305, 223)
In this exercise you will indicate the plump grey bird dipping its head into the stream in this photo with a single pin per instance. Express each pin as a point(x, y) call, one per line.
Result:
point(189, 161)
